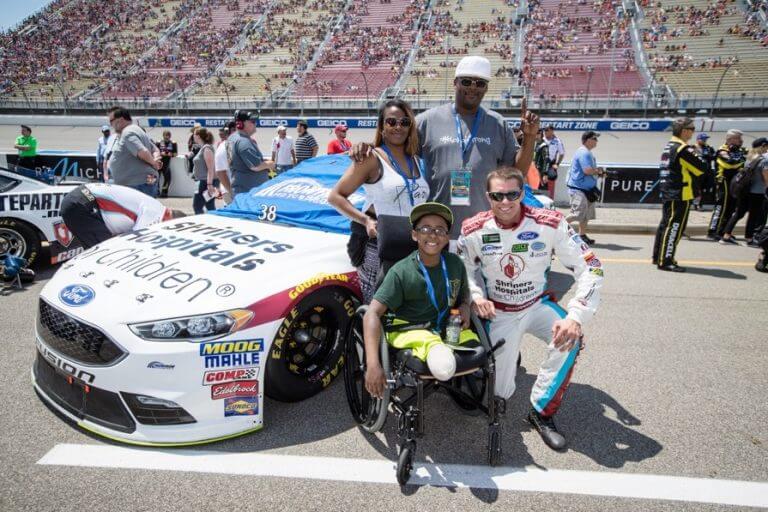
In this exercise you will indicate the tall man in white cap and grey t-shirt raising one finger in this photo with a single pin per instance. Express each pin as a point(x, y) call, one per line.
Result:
point(457, 166)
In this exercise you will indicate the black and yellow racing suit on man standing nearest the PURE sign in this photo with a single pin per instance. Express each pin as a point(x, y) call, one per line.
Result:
point(680, 165)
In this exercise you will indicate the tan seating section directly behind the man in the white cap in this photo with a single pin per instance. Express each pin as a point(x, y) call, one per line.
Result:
point(459, 28)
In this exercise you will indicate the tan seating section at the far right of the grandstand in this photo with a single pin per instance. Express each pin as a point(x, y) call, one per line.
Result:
point(691, 46)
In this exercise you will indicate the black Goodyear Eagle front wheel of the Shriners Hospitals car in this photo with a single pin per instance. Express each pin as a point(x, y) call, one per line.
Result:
point(308, 350)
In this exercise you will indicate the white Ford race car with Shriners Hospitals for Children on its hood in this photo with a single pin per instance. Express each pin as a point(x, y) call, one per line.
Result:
point(172, 334)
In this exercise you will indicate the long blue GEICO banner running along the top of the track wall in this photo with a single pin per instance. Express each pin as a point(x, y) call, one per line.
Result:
point(603, 125)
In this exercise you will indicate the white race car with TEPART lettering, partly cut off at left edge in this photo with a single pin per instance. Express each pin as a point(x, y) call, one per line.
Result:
point(29, 216)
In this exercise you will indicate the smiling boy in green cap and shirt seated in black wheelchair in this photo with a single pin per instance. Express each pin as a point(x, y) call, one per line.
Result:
point(415, 296)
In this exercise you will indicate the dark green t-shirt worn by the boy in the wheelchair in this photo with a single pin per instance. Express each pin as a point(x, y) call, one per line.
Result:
point(404, 290)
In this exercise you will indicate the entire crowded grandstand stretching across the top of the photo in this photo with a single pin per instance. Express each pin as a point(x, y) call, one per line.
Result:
point(217, 52)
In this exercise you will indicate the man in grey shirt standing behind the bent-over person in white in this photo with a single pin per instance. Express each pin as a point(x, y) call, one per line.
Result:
point(135, 159)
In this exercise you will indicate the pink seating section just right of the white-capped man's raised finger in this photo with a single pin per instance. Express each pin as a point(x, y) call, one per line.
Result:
point(570, 48)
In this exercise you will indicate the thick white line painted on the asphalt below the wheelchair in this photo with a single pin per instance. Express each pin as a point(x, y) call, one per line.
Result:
point(592, 483)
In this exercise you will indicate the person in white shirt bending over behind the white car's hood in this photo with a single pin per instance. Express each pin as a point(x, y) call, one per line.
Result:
point(95, 212)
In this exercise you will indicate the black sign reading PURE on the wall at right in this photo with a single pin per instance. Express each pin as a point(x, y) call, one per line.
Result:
point(631, 184)
